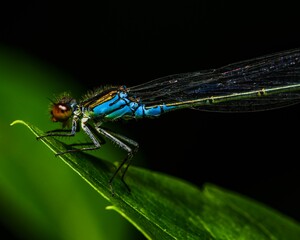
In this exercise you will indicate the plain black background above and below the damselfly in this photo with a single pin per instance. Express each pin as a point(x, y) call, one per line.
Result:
point(129, 43)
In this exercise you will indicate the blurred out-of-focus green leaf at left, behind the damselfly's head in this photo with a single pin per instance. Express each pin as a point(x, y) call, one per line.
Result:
point(41, 197)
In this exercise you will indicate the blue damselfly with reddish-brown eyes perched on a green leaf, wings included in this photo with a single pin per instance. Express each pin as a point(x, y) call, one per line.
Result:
point(258, 84)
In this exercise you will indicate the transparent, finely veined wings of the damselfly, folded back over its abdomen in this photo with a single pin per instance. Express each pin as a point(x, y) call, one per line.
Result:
point(275, 78)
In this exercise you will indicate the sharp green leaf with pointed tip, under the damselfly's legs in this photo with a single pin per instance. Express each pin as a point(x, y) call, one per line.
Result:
point(163, 207)
